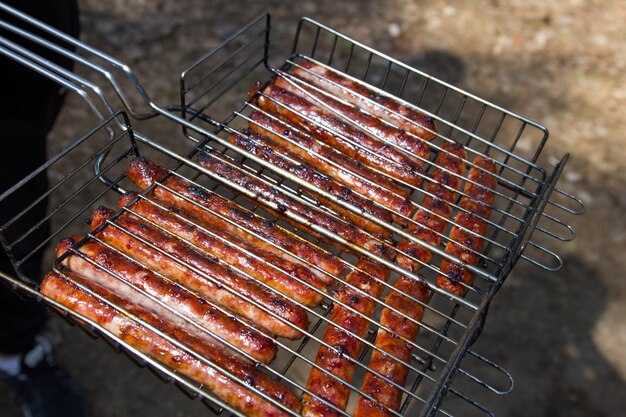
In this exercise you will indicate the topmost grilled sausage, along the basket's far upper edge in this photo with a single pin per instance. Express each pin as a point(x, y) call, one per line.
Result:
point(376, 102)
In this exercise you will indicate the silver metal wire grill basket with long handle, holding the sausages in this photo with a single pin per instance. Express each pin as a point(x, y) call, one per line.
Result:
point(90, 171)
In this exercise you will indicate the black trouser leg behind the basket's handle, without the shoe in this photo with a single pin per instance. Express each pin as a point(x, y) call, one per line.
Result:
point(29, 105)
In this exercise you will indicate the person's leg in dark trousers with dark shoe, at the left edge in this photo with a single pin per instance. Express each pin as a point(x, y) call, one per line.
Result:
point(29, 106)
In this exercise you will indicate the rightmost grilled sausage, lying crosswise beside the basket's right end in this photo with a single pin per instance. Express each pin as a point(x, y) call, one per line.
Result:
point(472, 227)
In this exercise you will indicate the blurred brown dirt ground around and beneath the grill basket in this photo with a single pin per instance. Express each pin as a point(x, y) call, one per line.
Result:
point(562, 63)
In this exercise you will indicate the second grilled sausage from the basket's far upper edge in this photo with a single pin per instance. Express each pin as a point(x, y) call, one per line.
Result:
point(380, 131)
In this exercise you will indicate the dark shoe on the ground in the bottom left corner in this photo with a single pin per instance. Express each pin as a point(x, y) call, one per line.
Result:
point(43, 388)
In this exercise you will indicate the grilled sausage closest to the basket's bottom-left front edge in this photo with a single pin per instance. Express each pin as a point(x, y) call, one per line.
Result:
point(237, 394)
